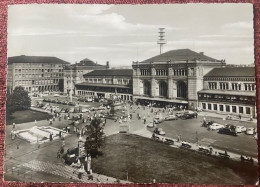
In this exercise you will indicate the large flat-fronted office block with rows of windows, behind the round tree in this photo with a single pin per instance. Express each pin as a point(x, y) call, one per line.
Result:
point(35, 73)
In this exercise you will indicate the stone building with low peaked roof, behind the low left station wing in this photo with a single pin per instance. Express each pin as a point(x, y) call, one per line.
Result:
point(73, 74)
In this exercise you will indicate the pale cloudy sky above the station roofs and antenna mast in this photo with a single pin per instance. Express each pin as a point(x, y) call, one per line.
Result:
point(122, 34)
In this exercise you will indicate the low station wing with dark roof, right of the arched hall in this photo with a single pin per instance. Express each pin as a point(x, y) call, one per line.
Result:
point(229, 90)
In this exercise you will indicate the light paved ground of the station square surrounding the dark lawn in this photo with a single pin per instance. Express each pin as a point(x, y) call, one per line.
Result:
point(30, 162)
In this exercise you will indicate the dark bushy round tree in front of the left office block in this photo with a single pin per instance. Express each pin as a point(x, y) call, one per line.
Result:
point(18, 100)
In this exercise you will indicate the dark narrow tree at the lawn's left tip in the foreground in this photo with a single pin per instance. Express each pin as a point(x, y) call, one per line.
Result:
point(95, 137)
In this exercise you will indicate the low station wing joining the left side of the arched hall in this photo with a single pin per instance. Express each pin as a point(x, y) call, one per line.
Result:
point(107, 84)
